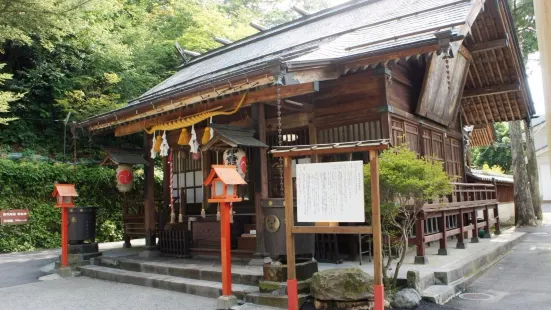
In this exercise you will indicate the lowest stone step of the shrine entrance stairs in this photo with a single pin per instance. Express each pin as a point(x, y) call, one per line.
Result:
point(185, 285)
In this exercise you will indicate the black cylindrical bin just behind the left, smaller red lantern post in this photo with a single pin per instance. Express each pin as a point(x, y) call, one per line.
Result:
point(82, 225)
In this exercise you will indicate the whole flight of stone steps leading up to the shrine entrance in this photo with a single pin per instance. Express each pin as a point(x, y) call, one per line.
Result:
point(192, 277)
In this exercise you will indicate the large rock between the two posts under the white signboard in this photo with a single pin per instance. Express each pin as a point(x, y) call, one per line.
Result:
point(342, 284)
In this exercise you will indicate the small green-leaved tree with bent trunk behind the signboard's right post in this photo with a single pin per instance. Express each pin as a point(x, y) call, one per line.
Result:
point(406, 183)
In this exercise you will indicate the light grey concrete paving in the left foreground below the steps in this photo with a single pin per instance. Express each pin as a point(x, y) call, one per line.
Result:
point(83, 293)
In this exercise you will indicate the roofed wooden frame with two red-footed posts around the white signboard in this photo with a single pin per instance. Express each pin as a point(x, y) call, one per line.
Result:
point(288, 153)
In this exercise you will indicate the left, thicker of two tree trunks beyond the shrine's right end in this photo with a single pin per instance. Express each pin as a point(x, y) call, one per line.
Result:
point(523, 198)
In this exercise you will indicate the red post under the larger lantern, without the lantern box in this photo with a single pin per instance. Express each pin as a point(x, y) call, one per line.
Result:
point(225, 245)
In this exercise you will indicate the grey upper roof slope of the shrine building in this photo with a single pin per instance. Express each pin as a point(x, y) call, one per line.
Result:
point(331, 32)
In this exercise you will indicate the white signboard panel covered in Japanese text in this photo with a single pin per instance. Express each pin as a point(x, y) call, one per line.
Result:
point(330, 192)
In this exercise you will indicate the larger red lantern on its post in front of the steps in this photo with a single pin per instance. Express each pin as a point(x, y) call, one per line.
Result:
point(224, 180)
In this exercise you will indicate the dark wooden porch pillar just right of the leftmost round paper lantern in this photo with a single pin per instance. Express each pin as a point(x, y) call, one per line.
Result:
point(149, 193)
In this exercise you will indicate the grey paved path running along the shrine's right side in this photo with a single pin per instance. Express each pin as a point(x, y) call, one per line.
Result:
point(521, 280)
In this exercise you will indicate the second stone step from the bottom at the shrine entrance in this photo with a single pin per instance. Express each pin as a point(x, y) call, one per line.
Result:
point(191, 271)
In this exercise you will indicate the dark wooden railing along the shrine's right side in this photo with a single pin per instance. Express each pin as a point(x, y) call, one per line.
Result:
point(456, 217)
